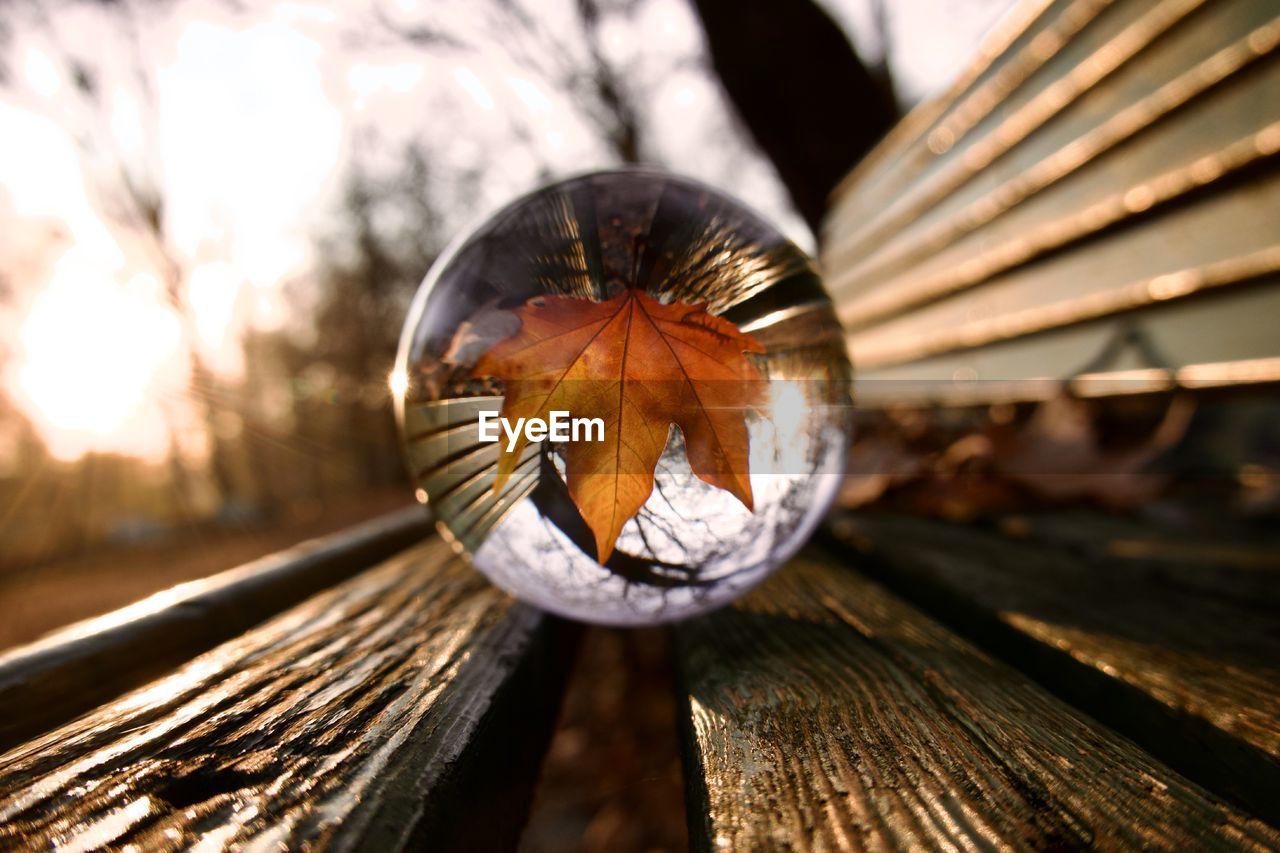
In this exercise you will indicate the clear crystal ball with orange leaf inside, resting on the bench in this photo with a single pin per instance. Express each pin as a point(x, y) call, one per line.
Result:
point(625, 398)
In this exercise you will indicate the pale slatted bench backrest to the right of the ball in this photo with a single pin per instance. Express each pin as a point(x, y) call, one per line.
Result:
point(1095, 202)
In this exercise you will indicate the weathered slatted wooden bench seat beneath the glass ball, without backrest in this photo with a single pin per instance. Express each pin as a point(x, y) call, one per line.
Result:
point(412, 703)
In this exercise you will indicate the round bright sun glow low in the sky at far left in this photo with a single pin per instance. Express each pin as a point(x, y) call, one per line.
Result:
point(95, 361)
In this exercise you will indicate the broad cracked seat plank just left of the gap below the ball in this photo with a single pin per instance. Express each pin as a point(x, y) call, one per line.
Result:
point(385, 713)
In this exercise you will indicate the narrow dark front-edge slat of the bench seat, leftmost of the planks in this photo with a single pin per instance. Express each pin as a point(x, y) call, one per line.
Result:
point(54, 679)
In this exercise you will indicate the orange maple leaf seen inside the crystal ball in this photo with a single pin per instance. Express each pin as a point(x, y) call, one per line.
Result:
point(641, 367)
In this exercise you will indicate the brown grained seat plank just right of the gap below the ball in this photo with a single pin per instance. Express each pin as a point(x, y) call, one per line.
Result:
point(826, 714)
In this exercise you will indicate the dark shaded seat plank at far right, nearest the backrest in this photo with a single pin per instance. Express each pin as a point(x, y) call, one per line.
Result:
point(1180, 654)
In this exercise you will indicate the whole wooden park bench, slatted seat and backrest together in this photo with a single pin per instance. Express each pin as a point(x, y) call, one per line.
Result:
point(1101, 180)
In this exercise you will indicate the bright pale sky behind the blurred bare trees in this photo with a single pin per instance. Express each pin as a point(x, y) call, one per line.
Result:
point(246, 121)
